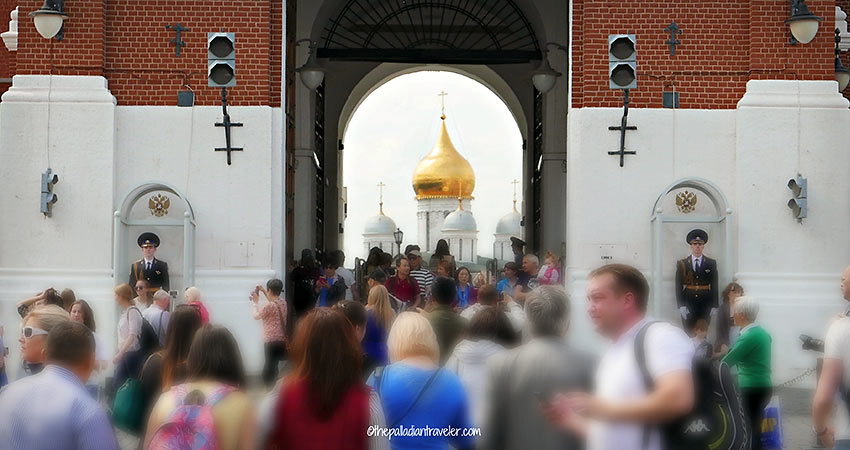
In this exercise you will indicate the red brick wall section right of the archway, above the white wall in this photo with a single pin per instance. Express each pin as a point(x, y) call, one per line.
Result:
point(723, 45)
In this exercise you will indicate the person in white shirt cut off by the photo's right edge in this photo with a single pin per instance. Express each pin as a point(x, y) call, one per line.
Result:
point(835, 374)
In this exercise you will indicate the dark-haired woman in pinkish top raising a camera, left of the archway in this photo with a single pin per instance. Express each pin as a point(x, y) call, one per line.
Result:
point(273, 315)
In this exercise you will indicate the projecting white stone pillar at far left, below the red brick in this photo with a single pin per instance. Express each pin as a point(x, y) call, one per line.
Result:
point(66, 123)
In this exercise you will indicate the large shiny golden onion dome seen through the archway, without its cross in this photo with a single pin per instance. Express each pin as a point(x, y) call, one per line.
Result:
point(443, 171)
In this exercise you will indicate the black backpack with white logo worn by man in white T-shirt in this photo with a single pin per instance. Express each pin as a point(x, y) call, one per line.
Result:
point(717, 421)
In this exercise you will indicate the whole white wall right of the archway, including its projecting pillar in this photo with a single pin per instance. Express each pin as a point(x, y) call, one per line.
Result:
point(779, 128)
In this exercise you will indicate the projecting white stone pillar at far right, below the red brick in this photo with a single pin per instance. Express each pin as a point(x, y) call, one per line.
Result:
point(791, 267)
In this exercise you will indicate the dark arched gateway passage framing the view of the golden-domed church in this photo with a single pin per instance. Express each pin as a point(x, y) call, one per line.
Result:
point(362, 44)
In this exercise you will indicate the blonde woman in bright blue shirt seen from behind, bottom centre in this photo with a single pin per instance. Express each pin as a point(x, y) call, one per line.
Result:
point(416, 393)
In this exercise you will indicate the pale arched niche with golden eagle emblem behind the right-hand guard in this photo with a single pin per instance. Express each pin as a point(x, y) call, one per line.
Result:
point(684, 205)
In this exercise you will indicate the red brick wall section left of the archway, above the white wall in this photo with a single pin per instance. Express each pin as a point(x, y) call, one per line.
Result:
point(127, 42)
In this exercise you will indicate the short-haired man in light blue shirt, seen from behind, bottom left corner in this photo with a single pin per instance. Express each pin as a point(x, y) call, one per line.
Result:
point(52, 410)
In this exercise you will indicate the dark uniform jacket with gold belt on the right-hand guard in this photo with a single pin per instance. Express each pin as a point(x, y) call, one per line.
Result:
point(696, 290)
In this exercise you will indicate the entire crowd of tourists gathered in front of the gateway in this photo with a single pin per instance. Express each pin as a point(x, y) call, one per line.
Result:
point(395, 354)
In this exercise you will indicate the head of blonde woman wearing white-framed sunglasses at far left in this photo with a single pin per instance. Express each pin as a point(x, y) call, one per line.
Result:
point(37, 324)
